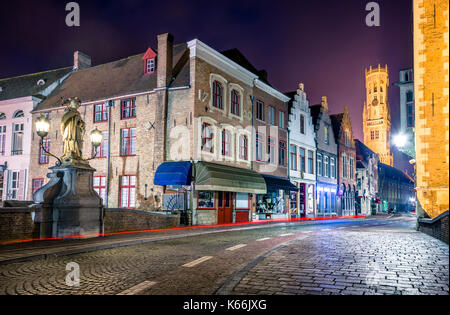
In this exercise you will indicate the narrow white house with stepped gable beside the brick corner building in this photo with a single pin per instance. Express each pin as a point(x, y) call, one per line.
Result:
point(302, 140)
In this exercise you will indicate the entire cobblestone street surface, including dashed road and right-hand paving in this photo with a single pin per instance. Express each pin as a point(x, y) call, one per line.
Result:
point(321, 254)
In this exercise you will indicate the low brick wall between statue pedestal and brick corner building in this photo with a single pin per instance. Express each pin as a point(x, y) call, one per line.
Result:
point(120, 220)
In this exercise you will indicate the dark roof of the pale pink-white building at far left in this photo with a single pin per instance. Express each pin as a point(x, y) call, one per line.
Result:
point(27, 85)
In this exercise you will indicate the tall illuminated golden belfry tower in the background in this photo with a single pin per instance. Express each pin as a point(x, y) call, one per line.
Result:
point(376, 115)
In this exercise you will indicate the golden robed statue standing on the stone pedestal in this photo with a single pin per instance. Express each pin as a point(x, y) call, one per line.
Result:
point(72, 130)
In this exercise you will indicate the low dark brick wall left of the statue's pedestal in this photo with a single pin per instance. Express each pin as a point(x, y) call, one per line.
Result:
point(17, 224)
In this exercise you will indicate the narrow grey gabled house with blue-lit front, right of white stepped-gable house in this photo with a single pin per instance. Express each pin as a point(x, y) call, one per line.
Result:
point(326, 160)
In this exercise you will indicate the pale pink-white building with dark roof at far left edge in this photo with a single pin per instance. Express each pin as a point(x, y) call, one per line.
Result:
point(19, 96)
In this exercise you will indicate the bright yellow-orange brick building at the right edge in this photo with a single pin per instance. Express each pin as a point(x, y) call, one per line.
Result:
point(431, 88)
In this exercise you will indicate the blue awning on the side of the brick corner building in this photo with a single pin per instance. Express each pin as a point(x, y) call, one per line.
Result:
point(173, 173)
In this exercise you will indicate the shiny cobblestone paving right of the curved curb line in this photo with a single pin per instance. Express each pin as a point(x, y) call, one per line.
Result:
point(375, 260)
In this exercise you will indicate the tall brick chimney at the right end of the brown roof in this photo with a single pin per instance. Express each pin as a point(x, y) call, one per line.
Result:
point(164, 60)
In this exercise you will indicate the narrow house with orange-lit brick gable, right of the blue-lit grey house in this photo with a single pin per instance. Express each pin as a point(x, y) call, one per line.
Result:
point(343, 132)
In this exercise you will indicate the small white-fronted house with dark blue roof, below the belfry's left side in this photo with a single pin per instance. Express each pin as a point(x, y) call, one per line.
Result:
point(367, 161)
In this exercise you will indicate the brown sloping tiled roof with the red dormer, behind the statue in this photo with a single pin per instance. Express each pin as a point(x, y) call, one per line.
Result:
point(115, 79)
